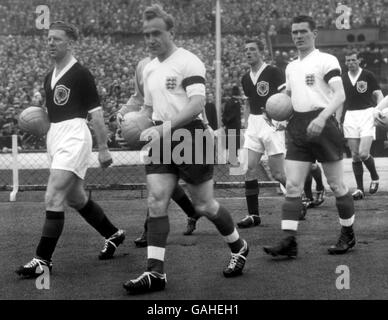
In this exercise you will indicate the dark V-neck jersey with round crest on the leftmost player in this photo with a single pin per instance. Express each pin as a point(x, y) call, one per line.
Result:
point(73, 95)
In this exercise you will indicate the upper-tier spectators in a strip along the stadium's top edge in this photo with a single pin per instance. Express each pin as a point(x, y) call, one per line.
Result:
point(195, 16)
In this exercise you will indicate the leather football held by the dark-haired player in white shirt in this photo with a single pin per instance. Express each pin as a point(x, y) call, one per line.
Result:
point(279, 107)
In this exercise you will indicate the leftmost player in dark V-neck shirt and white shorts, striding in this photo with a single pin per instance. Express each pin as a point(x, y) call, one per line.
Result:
point(70, 95)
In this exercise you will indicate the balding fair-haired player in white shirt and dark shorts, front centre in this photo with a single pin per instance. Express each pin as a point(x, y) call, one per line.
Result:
point(174, 87)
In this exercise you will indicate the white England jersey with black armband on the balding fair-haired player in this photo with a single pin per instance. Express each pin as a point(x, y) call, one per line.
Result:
point(169, 84)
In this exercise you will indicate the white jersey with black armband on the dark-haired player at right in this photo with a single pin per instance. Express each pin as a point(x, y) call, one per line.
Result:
point(308, 80)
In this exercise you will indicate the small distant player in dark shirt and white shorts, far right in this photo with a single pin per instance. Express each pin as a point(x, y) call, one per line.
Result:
point(362, 94)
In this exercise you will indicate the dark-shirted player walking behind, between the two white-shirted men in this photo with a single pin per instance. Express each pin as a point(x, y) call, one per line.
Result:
point(261, 136)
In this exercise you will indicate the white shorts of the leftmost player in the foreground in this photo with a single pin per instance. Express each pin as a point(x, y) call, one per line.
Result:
point(69, 146)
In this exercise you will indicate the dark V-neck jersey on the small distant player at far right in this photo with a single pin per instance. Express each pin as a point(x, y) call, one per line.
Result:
point(360, 95)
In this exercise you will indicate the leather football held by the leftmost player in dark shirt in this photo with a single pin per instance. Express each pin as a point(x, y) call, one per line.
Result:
point(34, 120)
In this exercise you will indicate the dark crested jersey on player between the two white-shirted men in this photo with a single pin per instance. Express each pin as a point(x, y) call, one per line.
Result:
point(269, 82)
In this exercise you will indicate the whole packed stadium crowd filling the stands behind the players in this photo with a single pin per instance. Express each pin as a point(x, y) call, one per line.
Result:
point(113, 59)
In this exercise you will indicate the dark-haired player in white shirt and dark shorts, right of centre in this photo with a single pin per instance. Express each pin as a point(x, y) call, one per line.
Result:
point(314, 83)
